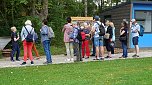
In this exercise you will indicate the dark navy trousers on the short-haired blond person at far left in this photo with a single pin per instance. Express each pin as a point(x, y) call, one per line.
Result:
point(15, 48)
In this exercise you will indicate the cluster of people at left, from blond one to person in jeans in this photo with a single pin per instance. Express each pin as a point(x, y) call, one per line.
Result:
point(28, 37)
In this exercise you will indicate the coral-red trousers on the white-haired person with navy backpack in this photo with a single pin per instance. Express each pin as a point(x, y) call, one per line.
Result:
point(27, 50)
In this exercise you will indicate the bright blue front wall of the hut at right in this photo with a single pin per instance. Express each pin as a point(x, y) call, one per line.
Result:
point(144, 41)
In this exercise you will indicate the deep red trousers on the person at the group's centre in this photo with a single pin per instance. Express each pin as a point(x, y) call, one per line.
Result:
point(85, 48)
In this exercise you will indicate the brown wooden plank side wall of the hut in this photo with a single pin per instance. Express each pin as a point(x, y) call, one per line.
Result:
point(117, 15)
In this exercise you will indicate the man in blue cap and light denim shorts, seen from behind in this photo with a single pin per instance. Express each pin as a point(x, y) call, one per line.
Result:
point(98, 40)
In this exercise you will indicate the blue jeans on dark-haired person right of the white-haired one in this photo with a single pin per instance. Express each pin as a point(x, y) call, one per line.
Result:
point(46, 46)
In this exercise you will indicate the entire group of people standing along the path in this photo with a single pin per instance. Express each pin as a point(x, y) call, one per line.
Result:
point(76, 38)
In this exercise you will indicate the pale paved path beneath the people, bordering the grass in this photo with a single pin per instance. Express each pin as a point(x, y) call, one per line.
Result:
point(57, 59)
